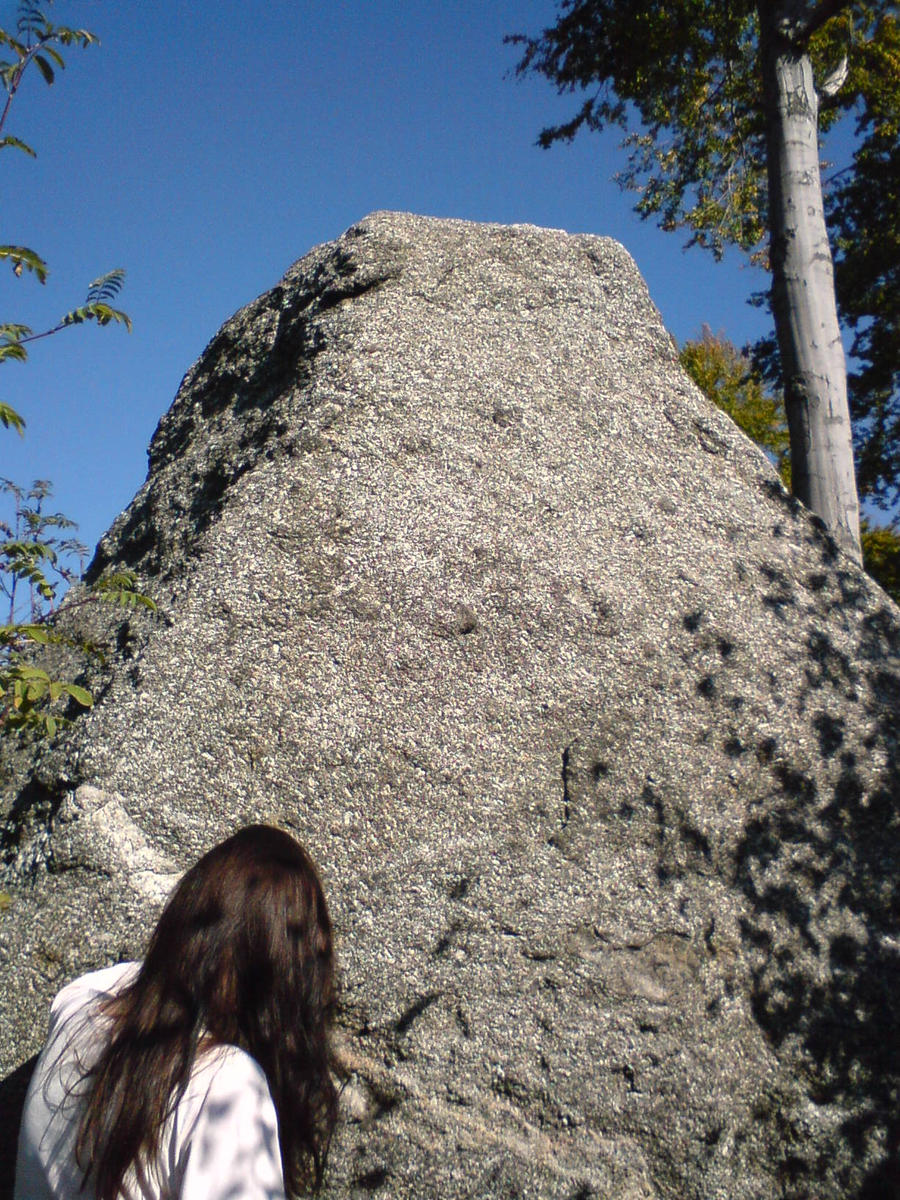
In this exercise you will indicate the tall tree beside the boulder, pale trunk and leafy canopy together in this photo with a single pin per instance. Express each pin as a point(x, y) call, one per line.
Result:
point(705, 94)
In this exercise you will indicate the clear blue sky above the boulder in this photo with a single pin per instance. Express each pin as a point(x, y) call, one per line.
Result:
point(206, 147)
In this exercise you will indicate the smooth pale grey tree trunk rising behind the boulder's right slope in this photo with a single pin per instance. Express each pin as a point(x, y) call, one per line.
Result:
point(803, 303)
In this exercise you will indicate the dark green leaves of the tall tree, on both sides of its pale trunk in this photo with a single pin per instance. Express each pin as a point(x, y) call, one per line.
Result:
point(682, 80)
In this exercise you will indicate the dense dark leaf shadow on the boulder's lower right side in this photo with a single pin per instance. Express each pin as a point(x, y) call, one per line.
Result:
point(819, 865)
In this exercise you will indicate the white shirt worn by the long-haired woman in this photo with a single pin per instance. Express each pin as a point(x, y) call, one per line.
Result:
point(221, 1142)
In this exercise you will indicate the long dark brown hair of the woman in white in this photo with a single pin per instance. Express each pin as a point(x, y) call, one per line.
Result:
point(242, 957)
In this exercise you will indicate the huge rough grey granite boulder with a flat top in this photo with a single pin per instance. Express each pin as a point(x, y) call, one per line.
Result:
point(592, 730)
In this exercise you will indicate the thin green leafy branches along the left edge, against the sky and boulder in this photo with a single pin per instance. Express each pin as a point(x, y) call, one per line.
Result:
point(38, 551)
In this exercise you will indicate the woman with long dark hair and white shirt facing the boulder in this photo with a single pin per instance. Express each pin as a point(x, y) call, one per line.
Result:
point(203, 1072)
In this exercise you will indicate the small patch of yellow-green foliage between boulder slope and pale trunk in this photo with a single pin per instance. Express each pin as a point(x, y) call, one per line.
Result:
point(728, 377)
